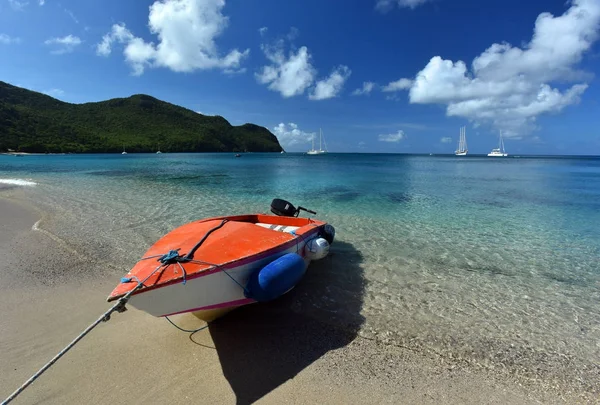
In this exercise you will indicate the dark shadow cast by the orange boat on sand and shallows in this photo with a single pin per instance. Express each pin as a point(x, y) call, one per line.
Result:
point(262, 346)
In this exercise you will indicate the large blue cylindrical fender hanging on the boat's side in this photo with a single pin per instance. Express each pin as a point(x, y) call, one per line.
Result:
point(276, 278)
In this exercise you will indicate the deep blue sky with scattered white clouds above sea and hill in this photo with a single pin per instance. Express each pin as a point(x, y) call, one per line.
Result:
point(375, 75)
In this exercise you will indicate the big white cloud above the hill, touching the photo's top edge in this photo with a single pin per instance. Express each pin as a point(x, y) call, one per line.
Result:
point(186, 31)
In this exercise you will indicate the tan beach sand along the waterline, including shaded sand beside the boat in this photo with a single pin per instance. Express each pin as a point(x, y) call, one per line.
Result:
point(266, 353)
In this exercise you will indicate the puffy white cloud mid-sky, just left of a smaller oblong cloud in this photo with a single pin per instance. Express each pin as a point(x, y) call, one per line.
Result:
point(289, 76)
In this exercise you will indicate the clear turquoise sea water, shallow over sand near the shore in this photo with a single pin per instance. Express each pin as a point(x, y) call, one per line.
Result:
point(493, 262)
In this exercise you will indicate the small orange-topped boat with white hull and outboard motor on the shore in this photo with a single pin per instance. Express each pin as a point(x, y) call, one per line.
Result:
point(211, 266)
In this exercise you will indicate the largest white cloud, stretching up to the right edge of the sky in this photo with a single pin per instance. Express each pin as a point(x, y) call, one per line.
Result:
point(509, 87)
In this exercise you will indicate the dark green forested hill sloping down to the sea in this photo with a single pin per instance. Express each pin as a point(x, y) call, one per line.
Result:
point(35, 122)
